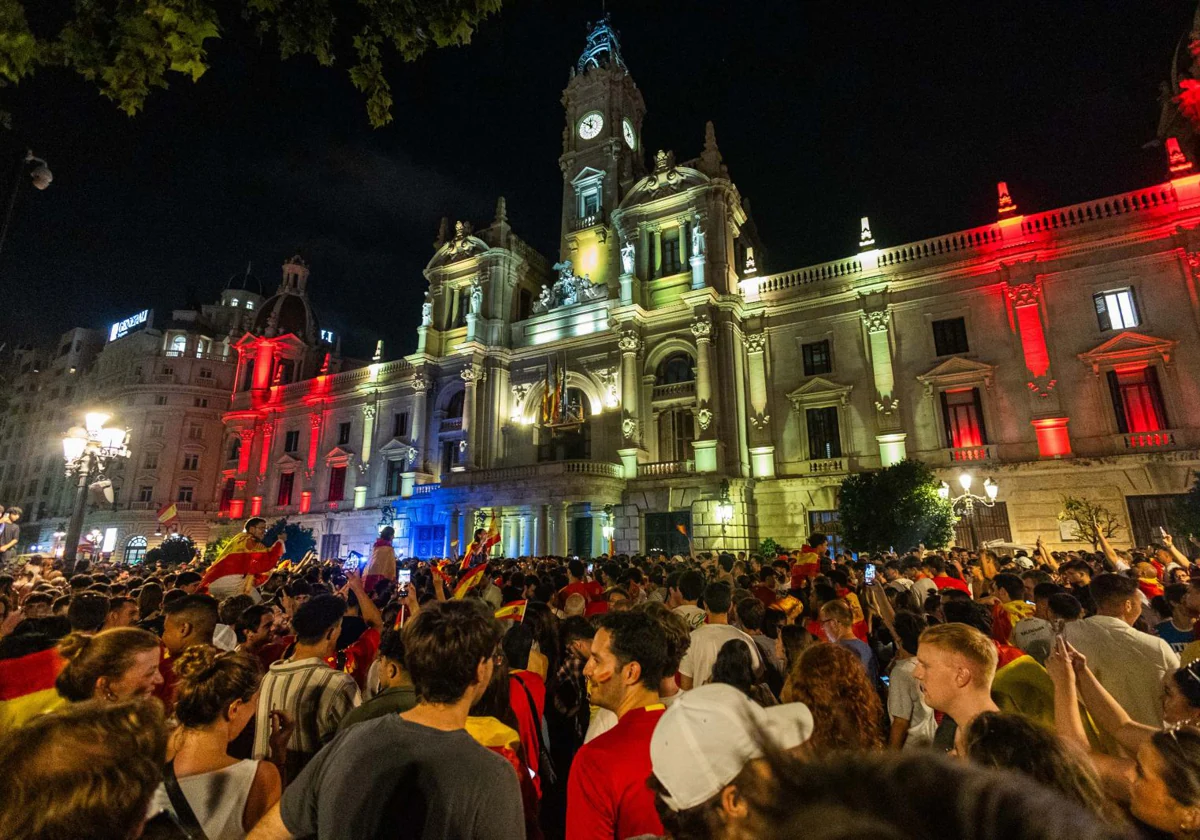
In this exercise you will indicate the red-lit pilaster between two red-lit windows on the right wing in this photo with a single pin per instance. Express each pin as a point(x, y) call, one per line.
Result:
point(1049, 421)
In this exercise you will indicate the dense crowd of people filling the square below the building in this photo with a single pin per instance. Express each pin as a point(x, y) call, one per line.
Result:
point(818, 694)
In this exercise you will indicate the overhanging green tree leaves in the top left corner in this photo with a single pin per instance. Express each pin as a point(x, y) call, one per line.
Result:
point(130, 47)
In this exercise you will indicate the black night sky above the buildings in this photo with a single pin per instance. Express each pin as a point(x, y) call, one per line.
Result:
point(825, 112)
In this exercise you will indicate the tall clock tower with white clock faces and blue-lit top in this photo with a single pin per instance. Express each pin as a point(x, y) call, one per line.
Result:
point(602, 154)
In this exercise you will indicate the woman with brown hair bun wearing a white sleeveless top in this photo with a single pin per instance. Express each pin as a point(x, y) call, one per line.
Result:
point(215, 698)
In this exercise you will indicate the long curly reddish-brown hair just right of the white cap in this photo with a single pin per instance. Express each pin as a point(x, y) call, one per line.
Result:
point(847, 710)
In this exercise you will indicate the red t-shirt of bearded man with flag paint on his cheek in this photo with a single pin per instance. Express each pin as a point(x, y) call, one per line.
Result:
point(607, 794)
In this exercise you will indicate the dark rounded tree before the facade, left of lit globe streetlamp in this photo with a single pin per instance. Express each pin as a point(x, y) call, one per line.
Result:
point(897, 507)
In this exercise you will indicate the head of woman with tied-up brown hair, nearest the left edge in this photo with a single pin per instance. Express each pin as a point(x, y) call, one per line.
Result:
point(112, 665)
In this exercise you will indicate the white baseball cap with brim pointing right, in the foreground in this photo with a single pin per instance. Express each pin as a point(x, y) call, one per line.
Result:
point(706, 737)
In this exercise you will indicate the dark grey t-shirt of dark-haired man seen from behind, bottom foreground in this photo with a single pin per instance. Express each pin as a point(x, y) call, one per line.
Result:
point(392, 779)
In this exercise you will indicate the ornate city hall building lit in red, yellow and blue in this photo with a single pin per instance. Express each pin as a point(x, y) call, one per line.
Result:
point(650, 375)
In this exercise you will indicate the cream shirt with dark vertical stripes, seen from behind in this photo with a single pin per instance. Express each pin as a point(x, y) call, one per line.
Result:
point(315, 695)
